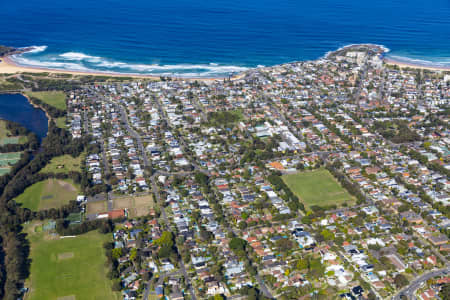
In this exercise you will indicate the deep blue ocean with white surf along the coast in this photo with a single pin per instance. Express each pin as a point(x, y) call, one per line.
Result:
point(217, 37)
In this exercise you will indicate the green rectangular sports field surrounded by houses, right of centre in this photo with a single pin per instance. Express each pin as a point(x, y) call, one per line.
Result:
point(317, 187)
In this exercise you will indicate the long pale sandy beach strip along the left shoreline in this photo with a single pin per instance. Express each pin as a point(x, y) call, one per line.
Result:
point(8, 66)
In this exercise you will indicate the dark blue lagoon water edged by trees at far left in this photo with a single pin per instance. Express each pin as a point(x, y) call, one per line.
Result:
point(15, 107)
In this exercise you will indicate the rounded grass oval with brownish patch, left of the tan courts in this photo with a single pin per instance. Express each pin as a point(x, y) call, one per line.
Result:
point(50, 193)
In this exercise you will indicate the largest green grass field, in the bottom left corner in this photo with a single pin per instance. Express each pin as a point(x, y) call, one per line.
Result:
point(69, 268)
